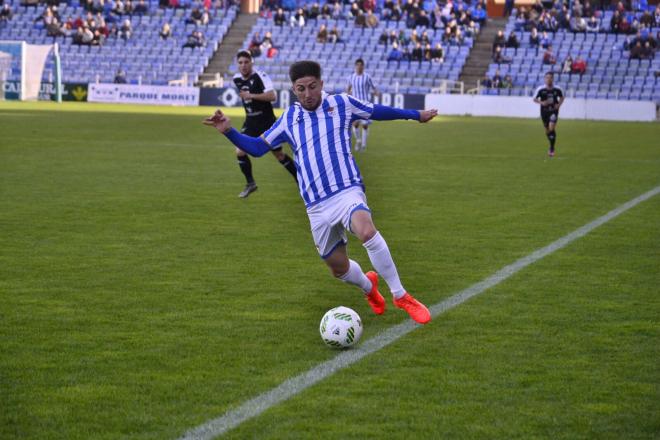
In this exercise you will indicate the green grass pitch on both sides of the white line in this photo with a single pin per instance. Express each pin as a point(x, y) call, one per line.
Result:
point(140, 297)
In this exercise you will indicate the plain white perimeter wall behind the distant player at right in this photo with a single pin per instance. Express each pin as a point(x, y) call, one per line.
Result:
point(524, 107)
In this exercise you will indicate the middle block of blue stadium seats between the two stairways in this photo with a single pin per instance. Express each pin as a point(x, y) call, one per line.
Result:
point(293, 42)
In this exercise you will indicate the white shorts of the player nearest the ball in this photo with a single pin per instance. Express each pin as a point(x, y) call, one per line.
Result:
point(330, 219)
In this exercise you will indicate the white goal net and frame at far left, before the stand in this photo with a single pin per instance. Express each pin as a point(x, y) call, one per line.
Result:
point(24, 65)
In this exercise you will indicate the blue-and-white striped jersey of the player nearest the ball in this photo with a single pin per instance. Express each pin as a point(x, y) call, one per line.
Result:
point(321, 144)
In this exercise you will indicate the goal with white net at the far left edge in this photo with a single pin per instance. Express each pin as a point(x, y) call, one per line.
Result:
point(28, 62)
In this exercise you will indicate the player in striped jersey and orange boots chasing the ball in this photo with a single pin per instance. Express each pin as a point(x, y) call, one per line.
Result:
point(318, 129)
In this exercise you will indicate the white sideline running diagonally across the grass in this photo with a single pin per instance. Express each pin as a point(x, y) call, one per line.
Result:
point(297, 384)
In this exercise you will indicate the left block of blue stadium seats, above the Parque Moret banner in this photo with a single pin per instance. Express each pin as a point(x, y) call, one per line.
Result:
point(145, 57)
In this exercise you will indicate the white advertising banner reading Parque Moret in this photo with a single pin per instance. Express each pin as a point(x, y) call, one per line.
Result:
point(135, 94)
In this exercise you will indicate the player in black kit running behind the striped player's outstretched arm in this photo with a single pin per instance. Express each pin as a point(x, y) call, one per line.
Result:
point(256, 91)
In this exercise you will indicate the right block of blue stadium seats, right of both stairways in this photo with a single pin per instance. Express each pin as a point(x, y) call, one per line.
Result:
point(610, 72)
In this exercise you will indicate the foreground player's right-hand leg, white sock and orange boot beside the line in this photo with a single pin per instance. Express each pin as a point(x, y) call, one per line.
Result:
point(363, 227)
